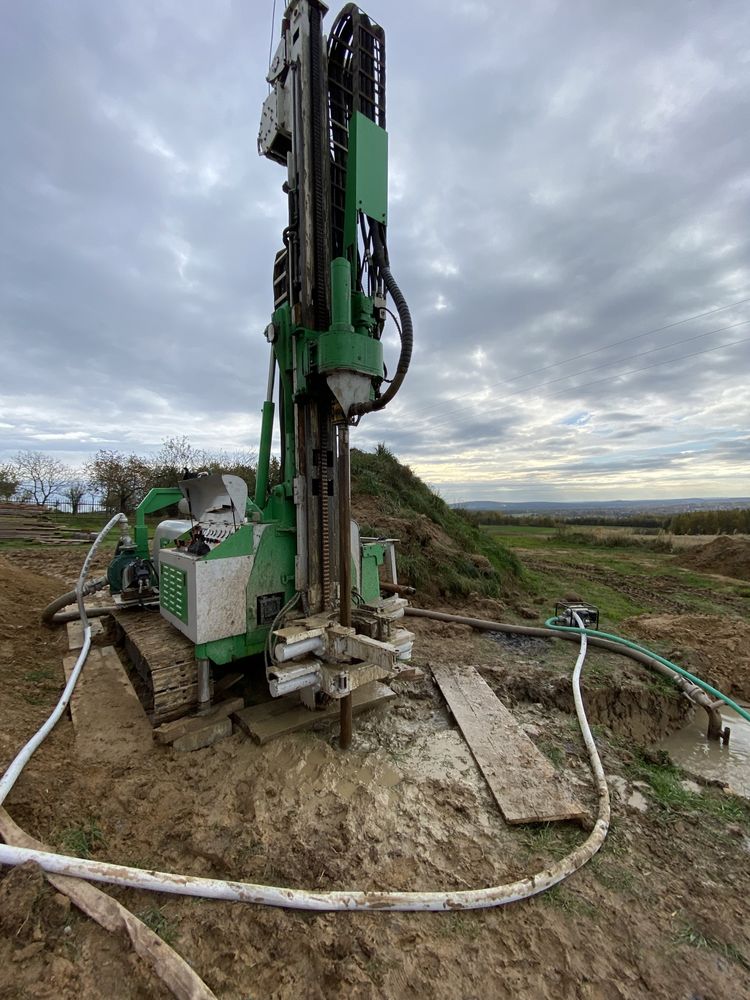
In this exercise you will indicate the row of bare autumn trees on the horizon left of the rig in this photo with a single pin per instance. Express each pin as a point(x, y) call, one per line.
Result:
point(117, 480)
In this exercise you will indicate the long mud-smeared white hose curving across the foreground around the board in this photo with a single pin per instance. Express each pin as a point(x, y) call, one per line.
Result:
point(303, 899)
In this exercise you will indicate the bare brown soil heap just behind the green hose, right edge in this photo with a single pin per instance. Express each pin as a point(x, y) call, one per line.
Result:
point(715, 648)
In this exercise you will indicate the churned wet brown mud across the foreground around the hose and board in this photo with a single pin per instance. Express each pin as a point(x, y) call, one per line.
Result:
point(661, 912)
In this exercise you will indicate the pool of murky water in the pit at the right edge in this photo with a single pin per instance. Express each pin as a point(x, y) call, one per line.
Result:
point(690, 749)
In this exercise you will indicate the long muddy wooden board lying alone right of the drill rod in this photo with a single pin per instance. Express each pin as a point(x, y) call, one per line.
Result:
point(524, 783)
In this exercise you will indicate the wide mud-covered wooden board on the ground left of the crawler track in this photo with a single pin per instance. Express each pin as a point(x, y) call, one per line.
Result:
point(109, 720)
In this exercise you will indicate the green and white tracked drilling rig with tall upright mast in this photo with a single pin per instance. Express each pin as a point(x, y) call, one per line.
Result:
point(285, 574)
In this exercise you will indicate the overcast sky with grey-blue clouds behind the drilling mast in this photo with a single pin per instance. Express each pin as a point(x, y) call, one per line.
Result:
point(569, 220)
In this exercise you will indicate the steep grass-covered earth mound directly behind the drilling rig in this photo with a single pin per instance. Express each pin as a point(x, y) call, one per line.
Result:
point(440, 552)
